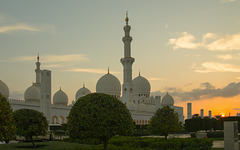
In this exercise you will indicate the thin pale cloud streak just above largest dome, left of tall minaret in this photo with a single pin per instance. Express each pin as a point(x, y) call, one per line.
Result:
point(88, 70)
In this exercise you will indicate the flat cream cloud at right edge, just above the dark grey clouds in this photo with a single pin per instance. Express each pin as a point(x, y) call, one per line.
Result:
point(207, 67)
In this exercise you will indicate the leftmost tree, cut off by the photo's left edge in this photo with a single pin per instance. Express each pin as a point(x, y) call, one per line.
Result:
point(7, 127)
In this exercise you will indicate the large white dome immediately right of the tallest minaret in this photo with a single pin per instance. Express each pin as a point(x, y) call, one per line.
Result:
point(141, 86)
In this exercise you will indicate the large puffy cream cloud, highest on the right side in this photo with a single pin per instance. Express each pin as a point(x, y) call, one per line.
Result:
point(209, 41)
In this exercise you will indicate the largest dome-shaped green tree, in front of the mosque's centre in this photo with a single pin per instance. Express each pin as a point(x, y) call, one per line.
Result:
point(99, 116)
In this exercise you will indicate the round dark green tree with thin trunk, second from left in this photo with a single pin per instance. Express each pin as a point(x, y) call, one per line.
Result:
point(30, 123)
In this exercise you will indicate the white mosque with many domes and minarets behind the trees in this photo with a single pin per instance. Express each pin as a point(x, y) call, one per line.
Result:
point(134, 93)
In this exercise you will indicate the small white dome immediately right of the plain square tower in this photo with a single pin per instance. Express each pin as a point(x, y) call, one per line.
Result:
point(60, 98)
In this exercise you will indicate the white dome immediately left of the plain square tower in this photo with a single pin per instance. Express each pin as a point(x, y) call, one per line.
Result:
point(32, 94)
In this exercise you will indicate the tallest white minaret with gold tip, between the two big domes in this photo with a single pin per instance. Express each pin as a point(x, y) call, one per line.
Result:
point(127, 61)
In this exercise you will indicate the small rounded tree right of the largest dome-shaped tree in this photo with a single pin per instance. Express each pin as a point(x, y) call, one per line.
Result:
point(164, 121)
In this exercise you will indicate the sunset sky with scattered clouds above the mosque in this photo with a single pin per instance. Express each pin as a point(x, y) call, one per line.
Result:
point(190, 49)
